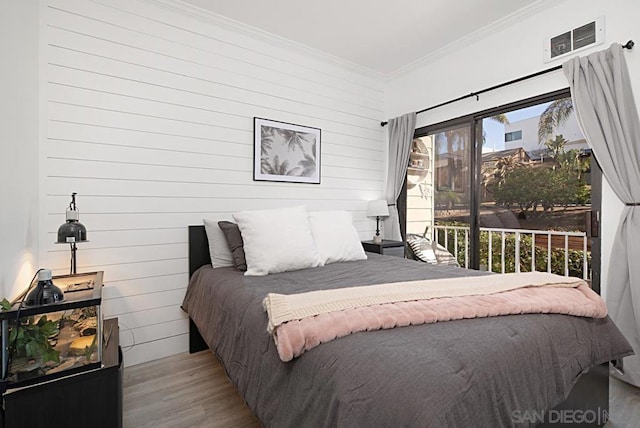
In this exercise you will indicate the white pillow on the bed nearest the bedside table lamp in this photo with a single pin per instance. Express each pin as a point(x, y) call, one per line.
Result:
point(336, 238)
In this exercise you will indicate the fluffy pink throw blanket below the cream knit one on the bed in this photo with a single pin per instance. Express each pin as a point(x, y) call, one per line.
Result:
point(294, 337)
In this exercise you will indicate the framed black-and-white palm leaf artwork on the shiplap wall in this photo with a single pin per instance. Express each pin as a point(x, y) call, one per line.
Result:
point(285, 152)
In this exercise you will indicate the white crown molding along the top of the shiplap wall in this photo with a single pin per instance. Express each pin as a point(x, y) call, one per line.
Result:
point(209, 17)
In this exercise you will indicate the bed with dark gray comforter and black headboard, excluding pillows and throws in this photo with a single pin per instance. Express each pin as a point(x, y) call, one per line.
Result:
point(517, 370)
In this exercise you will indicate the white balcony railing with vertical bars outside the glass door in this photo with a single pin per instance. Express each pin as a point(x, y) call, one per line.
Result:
point(519, 250)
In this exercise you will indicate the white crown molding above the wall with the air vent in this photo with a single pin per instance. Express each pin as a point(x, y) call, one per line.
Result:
point(505, 22)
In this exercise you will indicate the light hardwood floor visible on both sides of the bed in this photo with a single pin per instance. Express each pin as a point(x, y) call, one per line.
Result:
point(188, 391)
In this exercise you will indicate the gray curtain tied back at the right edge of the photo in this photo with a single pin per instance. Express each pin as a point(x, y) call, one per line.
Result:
point(608, 116)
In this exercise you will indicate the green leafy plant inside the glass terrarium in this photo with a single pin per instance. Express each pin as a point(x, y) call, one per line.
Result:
point(30, 339)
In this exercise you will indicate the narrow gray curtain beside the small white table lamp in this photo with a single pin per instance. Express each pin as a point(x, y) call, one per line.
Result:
point(401, 130)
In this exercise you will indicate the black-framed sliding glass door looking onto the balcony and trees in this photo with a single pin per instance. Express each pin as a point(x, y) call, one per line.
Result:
point(507, 190)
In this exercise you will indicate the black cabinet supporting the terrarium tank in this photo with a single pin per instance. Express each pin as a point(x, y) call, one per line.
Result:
point(88, 399)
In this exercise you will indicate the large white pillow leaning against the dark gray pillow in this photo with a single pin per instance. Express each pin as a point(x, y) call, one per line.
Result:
point(277, 240)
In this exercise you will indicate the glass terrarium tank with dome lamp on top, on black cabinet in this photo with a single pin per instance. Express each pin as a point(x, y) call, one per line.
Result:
point(53, 329)
